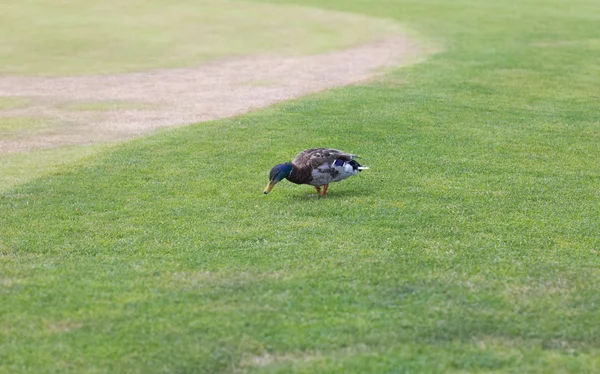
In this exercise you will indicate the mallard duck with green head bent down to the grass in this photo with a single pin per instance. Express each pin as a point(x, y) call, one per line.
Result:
point(317, 167)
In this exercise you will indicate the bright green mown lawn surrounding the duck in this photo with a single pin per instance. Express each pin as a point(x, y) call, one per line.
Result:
point(470, 246)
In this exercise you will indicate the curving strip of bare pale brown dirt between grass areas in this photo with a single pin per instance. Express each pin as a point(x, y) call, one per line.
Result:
point(172, 97)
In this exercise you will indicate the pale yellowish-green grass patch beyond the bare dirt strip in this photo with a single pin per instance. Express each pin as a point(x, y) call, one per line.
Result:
point(82, 37)
